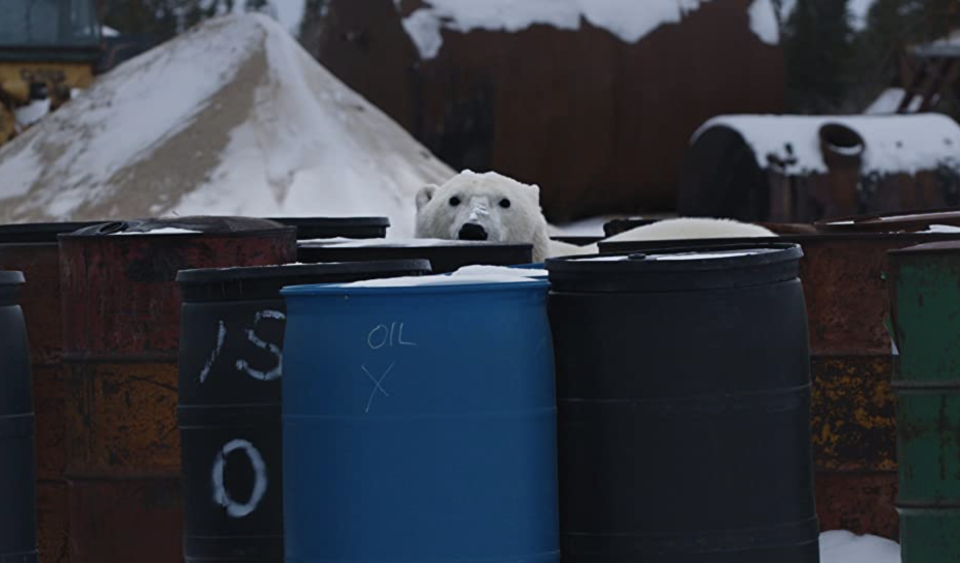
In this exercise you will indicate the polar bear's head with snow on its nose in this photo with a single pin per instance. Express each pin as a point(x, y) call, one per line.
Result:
point(488, 206)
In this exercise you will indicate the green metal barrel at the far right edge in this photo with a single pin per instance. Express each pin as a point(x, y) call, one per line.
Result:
point(924, 286)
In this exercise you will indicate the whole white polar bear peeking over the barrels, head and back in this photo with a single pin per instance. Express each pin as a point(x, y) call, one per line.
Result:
point(492, 207)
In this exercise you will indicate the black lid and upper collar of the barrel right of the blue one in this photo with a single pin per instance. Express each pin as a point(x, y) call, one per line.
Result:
point(678, 268)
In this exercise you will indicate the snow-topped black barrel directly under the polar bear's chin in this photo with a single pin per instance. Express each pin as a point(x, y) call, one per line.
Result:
point(444, 255)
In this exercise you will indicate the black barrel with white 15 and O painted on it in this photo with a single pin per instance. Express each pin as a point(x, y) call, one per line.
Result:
point(229, 403)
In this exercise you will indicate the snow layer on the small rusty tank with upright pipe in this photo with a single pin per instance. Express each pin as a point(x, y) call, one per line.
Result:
point(894, 144)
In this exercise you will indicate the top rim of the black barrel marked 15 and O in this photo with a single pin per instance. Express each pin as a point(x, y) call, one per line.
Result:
point(201, 276)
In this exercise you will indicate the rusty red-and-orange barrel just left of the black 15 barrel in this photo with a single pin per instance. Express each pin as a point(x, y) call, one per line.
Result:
point(121, 326)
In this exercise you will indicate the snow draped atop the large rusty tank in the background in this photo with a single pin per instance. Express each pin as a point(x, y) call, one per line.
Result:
point(629, 20)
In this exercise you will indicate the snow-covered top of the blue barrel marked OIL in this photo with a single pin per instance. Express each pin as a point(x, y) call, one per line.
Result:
point(439, 283)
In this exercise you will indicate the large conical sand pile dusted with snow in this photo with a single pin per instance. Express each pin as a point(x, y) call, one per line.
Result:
point(231, 118)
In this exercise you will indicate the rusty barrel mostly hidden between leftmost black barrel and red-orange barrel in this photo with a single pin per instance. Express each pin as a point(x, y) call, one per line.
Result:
point(32, 248)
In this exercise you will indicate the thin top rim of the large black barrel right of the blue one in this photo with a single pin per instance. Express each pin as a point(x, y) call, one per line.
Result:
point(785, 252)
